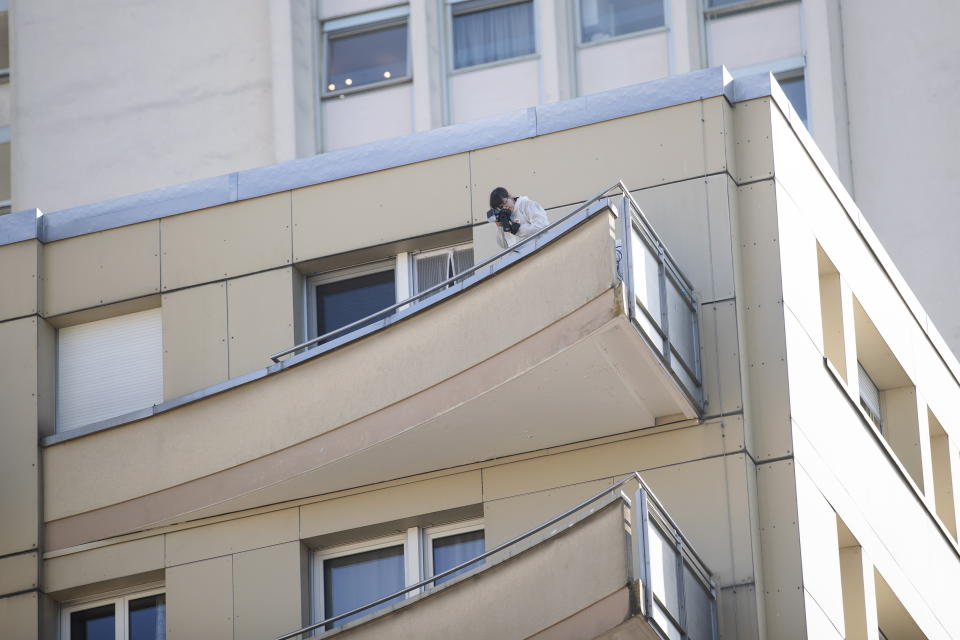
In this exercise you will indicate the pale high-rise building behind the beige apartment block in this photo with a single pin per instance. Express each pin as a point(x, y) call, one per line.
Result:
point(110, 101)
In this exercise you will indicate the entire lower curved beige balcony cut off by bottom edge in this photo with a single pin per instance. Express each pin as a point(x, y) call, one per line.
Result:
point(610, 567)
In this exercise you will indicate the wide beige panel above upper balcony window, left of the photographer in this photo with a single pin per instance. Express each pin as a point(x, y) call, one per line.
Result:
point(375, 208)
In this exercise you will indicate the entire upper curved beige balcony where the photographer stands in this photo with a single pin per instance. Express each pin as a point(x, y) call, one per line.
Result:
point(586, 330)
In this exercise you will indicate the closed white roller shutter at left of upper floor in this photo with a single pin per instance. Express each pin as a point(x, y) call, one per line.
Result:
point(109, 367)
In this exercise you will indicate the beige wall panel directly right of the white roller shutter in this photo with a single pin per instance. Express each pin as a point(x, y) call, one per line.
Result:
point(194, 339)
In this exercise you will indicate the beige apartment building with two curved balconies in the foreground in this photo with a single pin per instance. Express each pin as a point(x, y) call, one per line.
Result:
point(703, 403)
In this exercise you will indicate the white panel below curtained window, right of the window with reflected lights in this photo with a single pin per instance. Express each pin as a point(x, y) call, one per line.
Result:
point(471, 97)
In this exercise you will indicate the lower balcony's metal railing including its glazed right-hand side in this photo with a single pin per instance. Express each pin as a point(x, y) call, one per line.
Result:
point(679, 592)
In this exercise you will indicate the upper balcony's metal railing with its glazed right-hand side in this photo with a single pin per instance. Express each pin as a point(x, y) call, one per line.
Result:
point(664, 307)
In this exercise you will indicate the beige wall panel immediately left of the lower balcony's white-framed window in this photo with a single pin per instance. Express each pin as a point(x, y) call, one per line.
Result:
point(267, 595)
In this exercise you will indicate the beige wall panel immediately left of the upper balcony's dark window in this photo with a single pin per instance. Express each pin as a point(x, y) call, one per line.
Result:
point(260, 317)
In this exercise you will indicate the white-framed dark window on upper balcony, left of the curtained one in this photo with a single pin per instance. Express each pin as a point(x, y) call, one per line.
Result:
point(338, 298)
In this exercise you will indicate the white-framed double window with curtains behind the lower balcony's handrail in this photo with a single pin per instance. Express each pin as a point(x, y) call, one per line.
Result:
point(351, 576)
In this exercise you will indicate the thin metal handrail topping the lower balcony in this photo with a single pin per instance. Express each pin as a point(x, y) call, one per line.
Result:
point(661, 512)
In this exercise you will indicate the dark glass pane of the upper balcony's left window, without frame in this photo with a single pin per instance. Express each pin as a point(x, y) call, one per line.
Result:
point(340, 303)
